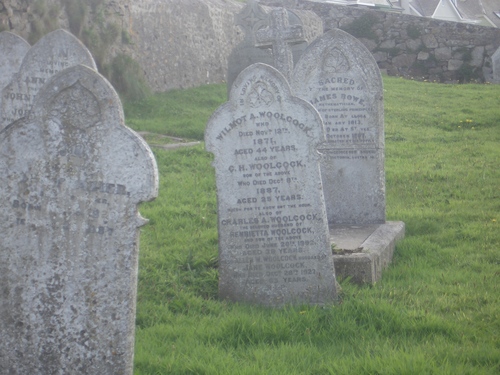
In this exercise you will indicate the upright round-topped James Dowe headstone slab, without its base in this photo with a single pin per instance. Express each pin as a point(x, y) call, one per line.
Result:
point(340, 77)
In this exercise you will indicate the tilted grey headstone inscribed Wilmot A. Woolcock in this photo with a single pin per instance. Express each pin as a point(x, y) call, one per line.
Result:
point(273, 237)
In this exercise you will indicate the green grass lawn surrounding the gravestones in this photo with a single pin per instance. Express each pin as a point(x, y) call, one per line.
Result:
point(436, 309)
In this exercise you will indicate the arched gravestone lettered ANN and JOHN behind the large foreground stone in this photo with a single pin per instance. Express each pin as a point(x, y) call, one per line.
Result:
point(56, 51)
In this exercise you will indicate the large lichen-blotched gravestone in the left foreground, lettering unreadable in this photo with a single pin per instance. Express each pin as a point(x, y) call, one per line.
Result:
point(72, 177)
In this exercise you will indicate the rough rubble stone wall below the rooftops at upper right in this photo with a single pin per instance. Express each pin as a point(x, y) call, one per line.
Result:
point(416, 47)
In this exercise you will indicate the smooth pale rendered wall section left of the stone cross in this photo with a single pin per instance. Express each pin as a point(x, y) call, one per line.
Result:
point(184, 43)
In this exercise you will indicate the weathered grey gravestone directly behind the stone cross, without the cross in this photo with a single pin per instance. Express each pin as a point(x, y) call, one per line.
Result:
point(255, 17)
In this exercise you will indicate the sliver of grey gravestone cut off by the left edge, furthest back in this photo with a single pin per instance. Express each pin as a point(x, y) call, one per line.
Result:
point(13, 48)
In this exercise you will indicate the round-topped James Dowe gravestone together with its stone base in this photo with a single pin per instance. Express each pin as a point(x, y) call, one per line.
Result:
point(340, 77)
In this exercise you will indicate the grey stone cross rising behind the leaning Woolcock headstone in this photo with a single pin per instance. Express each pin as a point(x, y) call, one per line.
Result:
point(280, 35)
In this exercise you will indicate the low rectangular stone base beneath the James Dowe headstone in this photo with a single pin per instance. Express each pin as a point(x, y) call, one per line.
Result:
point(362, 252)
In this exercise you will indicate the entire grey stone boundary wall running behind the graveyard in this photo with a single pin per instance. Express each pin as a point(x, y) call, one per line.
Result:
point(181, 44)
